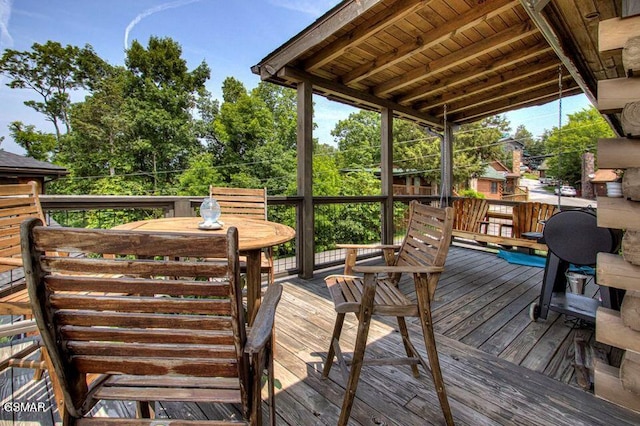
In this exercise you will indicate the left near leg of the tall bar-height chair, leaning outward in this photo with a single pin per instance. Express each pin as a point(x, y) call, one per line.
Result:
point(364, 321)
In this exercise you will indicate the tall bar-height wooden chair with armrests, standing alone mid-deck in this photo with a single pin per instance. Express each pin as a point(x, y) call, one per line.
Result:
point(422, 254)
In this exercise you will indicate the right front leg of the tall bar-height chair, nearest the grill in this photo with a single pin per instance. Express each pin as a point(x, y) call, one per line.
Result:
point(424, 305)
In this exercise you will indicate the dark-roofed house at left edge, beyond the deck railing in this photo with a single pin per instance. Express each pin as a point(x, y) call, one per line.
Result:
point(16, 168)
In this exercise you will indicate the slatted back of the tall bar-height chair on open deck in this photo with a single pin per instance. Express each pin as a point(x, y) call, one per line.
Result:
point(428, 238)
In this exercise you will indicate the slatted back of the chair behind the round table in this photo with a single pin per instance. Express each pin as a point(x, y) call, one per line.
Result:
point(247, 202)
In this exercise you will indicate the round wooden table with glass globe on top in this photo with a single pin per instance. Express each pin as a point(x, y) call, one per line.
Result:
point(253, 236)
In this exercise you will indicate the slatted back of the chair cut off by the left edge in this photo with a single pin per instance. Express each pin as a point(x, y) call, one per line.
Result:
point(17, 203)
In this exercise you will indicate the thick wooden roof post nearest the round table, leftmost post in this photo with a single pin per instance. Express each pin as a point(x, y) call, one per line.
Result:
point(305, 226)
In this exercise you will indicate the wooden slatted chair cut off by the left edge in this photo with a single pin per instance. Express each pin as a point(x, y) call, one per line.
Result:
point(17, 203)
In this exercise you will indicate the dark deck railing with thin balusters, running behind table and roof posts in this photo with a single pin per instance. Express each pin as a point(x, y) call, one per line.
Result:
point(338, 219)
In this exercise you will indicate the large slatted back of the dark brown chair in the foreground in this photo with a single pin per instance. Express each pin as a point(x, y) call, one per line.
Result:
point(155, 308)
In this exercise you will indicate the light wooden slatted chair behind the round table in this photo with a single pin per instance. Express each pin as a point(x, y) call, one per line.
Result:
point(252, 204)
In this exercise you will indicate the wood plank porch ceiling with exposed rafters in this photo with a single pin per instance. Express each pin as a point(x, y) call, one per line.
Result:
point(476, 57)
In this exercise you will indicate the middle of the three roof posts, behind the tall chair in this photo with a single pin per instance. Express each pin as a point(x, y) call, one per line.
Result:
point(386, 174)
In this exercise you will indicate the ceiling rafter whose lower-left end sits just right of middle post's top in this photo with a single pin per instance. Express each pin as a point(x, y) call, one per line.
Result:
point(489, 66)
